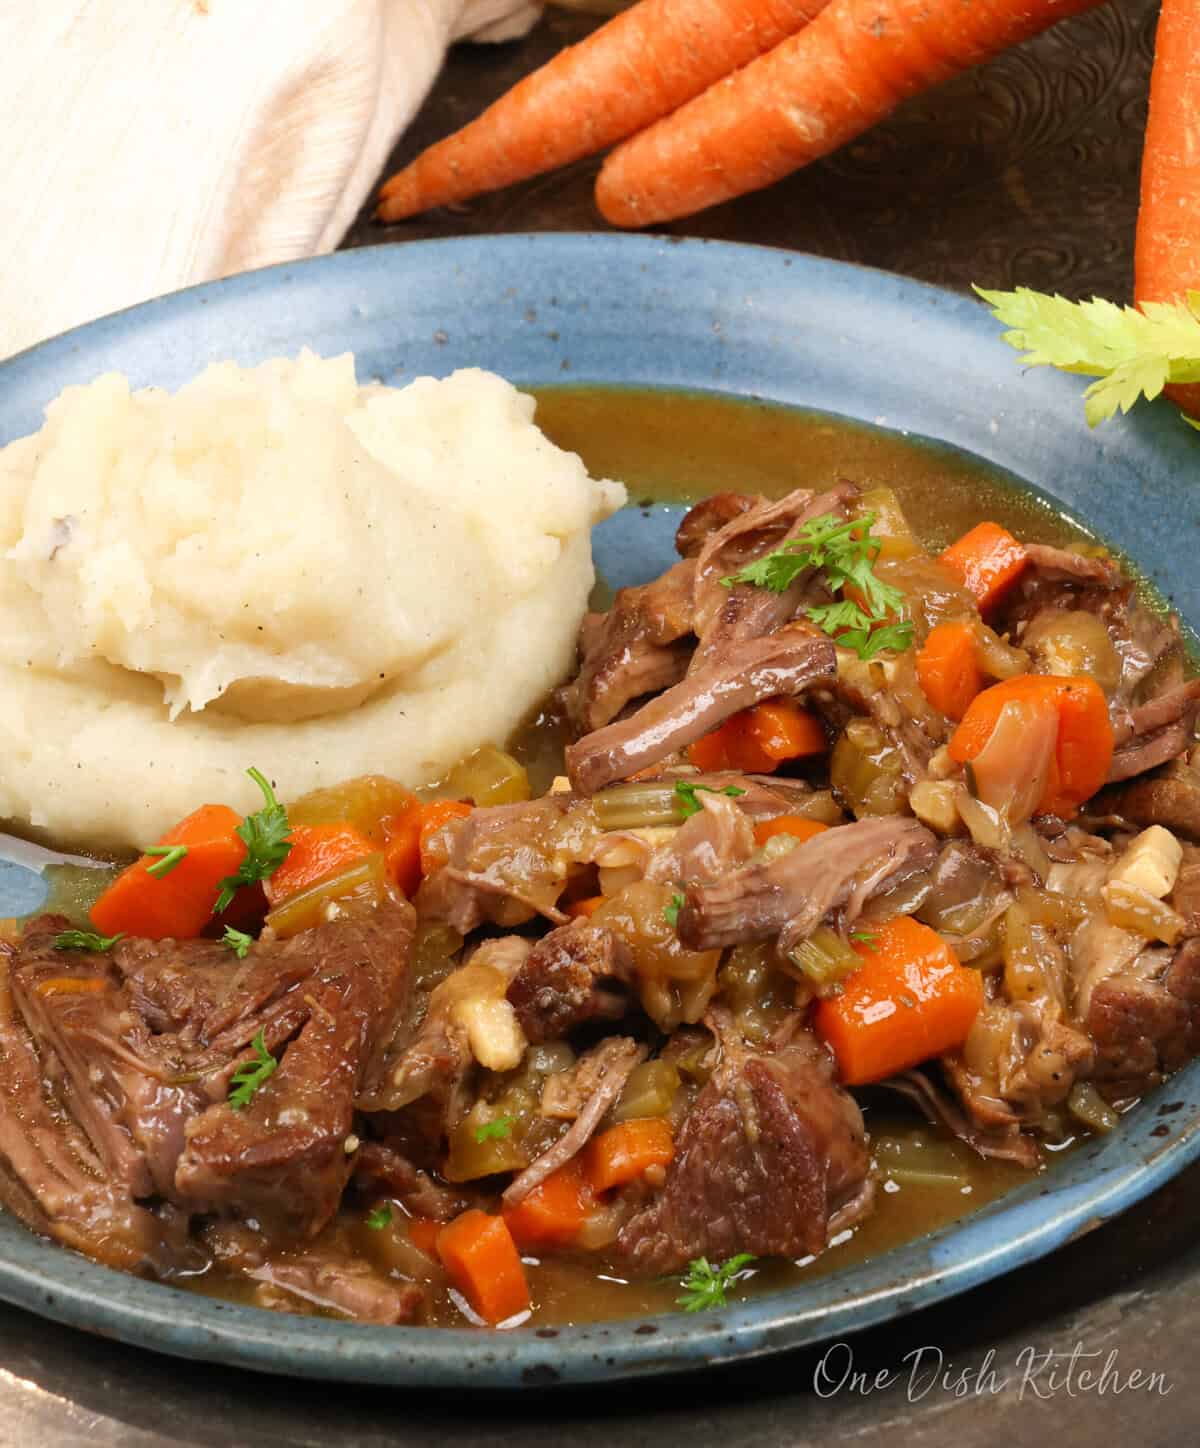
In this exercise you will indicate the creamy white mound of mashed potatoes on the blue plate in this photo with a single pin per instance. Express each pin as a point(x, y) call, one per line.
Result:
point(276, 567)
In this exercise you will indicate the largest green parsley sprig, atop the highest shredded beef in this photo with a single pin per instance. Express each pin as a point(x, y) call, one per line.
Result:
point(846, 552)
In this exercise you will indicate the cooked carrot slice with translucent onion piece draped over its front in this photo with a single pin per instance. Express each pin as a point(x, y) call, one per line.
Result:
point(1085, 744)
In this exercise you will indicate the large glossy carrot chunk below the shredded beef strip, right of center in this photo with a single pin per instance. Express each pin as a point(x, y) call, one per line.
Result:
point(910, 1000)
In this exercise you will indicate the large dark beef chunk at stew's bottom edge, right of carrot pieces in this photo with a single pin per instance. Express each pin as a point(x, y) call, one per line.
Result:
point(769, 1159)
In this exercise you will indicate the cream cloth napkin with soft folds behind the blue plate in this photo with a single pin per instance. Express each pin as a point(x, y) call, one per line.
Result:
point(153, 144)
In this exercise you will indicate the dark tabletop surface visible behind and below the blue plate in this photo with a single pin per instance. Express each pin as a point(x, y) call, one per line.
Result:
point(1023, 173)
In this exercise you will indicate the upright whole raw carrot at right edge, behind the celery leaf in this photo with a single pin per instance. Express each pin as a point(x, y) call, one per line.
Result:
point(1167, 253)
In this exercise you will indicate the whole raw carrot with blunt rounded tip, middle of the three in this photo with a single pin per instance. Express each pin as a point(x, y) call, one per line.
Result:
point(808, 96)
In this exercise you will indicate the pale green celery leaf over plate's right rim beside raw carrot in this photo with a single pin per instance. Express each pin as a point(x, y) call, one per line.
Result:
point(1134, 351)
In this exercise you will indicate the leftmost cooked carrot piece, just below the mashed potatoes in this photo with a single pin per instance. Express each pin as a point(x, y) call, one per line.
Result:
point(182, 901)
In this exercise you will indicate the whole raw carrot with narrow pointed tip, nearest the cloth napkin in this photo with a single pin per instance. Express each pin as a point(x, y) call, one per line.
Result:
point(639, 67)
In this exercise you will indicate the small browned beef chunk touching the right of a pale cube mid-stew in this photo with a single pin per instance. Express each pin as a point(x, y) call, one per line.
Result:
point(574, 975)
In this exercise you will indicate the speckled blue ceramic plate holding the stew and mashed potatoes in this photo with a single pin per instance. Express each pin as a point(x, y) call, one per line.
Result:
point(685, 315)
